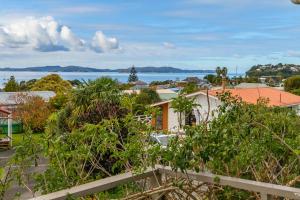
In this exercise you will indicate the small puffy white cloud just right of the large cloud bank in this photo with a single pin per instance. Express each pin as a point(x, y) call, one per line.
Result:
point(101, 43)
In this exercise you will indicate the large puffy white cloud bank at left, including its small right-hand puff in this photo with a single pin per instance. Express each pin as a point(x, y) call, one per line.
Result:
point(46, 35)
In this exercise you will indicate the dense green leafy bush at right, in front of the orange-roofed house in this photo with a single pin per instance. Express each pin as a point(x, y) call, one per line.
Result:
point(254, 142)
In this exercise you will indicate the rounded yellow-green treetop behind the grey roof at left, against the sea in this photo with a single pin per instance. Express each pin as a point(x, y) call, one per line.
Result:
point(52, 82)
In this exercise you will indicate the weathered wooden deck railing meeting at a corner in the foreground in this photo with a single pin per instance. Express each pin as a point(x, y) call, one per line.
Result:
point(266, 190)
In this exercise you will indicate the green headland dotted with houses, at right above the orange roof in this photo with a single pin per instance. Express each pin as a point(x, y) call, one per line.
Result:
point(284, 70)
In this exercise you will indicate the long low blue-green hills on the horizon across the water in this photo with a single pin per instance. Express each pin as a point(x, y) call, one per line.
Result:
point(89, 69)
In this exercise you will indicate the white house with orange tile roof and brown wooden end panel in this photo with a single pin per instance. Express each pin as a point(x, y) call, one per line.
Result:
point(168, 119)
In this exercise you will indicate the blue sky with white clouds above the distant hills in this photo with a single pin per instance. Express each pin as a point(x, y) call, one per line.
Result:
point(188, 34)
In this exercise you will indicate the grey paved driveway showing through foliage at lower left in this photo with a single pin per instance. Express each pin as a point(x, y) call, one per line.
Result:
point(15, 188)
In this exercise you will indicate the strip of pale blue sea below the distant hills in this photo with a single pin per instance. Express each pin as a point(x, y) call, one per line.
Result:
point(122, 77)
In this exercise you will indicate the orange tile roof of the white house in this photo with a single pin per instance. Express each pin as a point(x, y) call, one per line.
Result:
point(251, 95)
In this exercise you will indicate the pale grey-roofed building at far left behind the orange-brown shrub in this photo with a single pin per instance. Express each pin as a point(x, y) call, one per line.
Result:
point(9, 100)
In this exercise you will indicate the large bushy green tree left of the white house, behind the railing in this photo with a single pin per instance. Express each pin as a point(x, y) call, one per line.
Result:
point(94, 136)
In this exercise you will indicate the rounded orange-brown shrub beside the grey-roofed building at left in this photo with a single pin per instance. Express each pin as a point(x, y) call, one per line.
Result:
point(33, 112)
